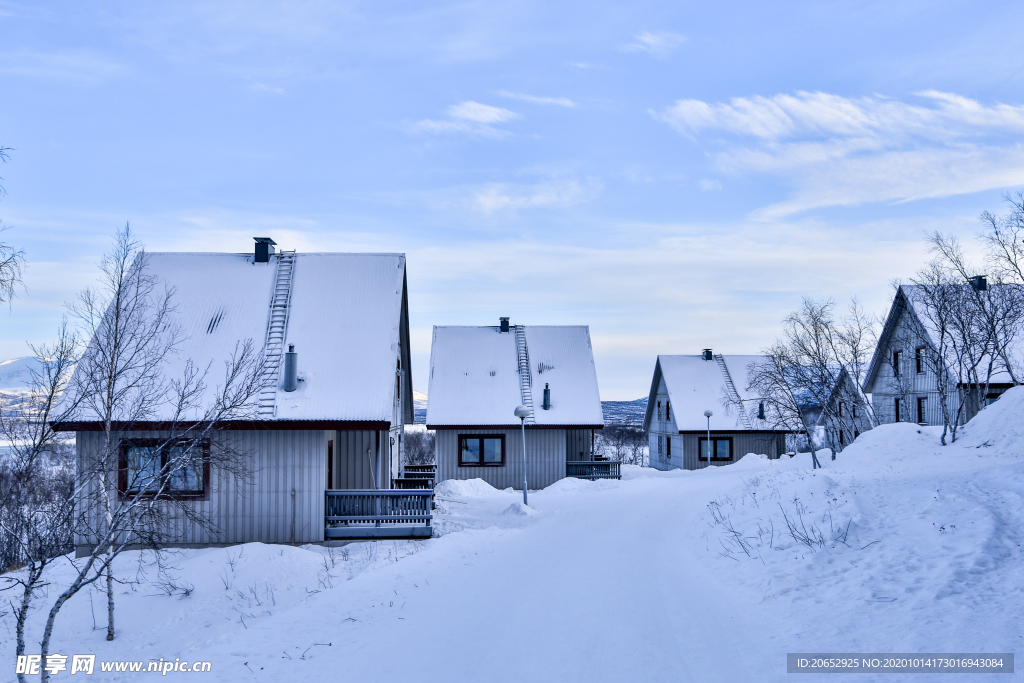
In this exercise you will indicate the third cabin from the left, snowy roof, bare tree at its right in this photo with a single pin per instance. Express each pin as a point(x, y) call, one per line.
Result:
point(682, 390)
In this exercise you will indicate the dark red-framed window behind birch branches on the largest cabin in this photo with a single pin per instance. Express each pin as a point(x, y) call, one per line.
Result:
point(177, 468)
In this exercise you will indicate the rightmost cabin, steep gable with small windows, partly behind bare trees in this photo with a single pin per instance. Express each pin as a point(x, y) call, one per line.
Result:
point(903, 379)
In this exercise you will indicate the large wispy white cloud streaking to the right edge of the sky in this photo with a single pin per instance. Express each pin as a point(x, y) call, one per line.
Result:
point(840, 151)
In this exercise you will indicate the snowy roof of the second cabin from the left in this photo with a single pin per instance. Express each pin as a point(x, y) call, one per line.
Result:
point(475, 377)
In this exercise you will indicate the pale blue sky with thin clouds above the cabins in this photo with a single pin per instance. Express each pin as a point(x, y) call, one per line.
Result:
point(674, 175)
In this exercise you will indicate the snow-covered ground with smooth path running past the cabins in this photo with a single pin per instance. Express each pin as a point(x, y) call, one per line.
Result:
point(899, 546)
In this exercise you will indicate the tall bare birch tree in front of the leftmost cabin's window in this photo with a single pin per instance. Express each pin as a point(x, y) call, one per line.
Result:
point(129, 493)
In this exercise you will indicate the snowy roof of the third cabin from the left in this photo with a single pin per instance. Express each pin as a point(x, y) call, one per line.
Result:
point(696, 386)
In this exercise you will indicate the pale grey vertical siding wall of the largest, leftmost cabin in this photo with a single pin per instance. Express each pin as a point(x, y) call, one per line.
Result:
point(282, 501)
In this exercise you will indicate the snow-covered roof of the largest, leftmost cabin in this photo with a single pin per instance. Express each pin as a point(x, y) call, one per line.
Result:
point(346, 320)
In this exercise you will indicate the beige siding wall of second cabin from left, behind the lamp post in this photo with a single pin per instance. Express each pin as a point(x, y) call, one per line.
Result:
point(545, 458)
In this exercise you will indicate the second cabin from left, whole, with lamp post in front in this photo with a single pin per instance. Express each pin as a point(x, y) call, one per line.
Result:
point(481, 375)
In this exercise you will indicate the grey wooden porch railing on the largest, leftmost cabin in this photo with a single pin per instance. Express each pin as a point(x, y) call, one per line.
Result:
point(346, 511)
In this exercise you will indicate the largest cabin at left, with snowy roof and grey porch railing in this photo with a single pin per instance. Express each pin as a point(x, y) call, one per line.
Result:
point(322, 443)
